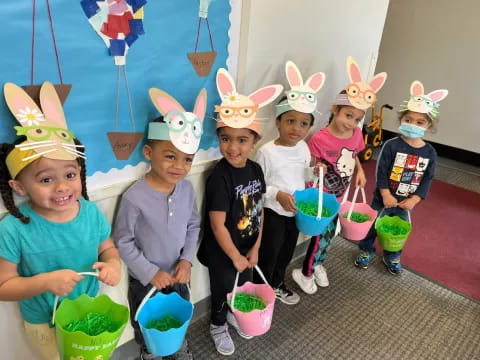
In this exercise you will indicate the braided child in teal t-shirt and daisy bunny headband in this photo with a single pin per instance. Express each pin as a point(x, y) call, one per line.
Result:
point(47, 241)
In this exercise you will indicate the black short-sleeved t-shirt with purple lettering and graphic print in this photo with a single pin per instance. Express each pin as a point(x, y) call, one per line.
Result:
point(238, 192)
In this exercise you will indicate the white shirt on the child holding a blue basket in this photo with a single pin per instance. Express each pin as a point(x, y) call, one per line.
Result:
point(285, 169)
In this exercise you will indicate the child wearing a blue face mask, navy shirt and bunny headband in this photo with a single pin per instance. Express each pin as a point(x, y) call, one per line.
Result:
point(405, 169)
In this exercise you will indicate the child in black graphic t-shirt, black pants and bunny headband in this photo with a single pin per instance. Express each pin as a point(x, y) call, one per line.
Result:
point(233, 204)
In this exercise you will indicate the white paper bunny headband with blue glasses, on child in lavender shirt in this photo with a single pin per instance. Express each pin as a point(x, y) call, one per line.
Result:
point(182, 128)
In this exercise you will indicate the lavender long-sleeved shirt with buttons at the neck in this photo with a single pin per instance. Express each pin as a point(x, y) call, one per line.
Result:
point(154, 230)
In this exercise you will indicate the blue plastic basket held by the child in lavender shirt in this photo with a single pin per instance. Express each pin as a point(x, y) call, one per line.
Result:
point(164, 343)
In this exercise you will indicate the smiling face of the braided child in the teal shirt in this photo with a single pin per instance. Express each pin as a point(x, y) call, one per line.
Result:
point(53, 186)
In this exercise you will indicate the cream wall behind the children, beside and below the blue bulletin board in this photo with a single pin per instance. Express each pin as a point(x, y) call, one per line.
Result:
point(318, 36)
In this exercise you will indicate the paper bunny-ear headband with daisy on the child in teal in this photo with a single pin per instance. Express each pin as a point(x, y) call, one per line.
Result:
point(45, 129)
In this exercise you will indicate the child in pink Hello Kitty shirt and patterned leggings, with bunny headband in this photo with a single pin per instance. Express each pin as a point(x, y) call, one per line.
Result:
point(336, 147)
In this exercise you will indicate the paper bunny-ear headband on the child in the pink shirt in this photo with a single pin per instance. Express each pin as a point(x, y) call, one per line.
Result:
point(360, 94)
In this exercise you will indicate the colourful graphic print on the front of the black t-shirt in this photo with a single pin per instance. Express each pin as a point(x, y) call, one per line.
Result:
point(250, 199)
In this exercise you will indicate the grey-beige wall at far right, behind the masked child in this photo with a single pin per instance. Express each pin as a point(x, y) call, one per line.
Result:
point(436, 42)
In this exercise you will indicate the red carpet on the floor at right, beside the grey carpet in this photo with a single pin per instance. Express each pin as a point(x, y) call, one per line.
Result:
point(445, 241)
